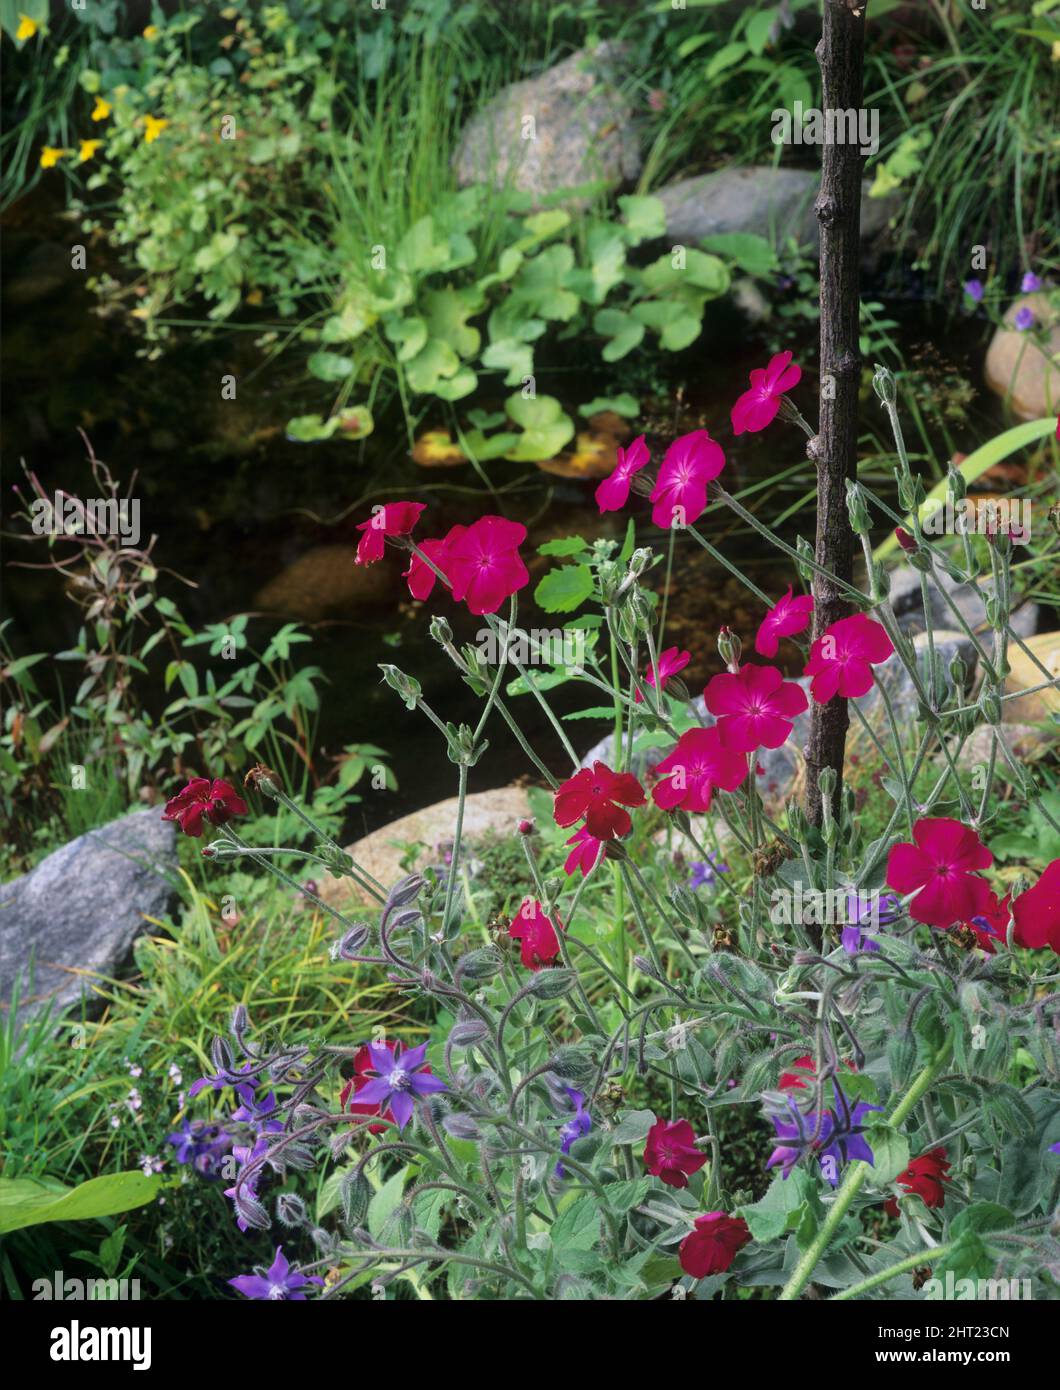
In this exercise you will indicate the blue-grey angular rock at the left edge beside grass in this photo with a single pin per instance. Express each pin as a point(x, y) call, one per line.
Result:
point(77, 915)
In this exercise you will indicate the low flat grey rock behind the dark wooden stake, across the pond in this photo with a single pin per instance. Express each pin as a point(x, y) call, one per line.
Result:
point(772, 202)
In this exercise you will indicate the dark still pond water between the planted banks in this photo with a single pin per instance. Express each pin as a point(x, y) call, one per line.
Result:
point(235, 507)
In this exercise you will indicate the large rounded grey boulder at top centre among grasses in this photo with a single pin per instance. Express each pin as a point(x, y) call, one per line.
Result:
point(584, 130)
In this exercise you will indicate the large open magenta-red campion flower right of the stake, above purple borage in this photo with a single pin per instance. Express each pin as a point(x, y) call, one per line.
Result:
point(943, 869)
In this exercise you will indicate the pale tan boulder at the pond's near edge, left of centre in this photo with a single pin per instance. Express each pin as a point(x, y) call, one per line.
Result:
point(434, 829)
